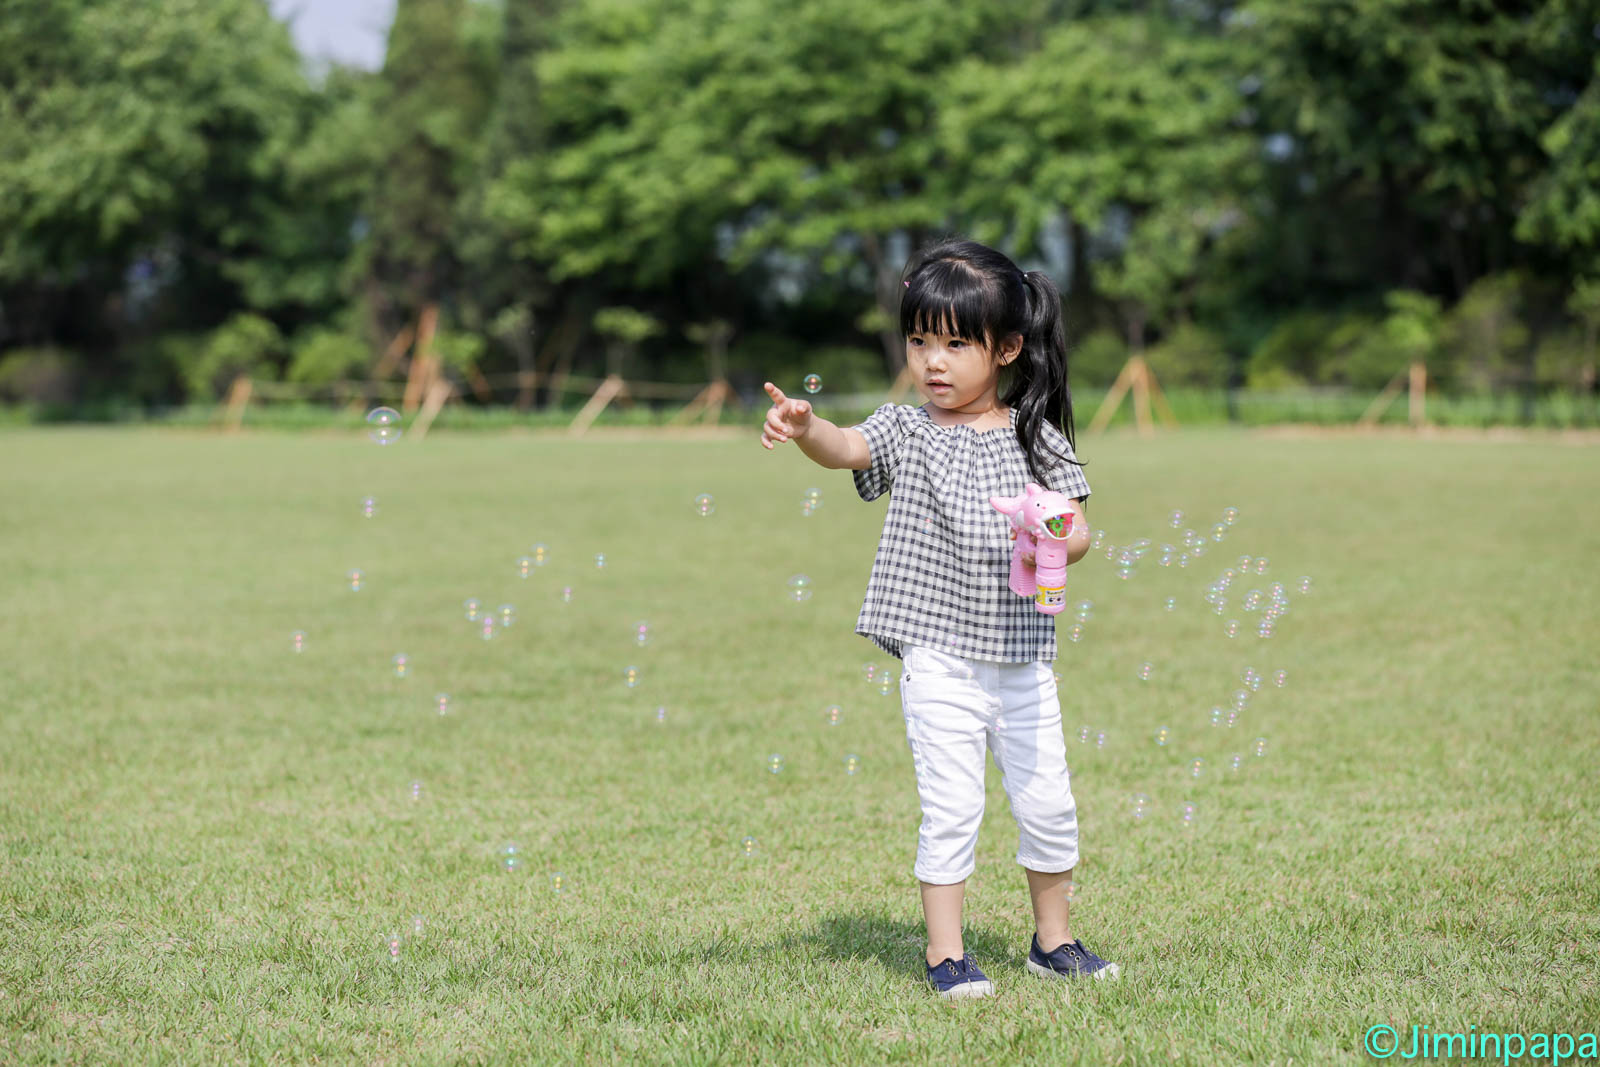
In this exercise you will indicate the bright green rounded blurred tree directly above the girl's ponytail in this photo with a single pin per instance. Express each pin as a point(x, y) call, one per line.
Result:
point(1124, 124)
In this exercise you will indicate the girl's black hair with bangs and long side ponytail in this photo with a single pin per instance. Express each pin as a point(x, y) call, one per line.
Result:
point(978, 295)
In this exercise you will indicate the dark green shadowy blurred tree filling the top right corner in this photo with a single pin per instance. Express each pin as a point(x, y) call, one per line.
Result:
point(1406, 135)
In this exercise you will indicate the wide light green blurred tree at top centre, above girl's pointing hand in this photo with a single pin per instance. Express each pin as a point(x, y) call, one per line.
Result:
point(812, 143)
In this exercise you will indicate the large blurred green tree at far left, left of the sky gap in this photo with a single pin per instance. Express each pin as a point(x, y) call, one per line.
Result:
point(146, 172)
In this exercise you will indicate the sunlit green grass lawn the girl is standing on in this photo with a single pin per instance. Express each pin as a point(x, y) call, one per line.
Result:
point(206, 837)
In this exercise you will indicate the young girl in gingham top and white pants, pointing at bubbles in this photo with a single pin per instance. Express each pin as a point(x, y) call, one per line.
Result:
point(977, 657)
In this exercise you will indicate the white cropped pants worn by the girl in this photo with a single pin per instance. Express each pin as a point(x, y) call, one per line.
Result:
point(956, 706)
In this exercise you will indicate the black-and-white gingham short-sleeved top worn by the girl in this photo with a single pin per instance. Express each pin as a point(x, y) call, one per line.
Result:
point(945, 561)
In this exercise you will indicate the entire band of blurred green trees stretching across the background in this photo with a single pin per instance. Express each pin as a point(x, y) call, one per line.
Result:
point(519, 164)
